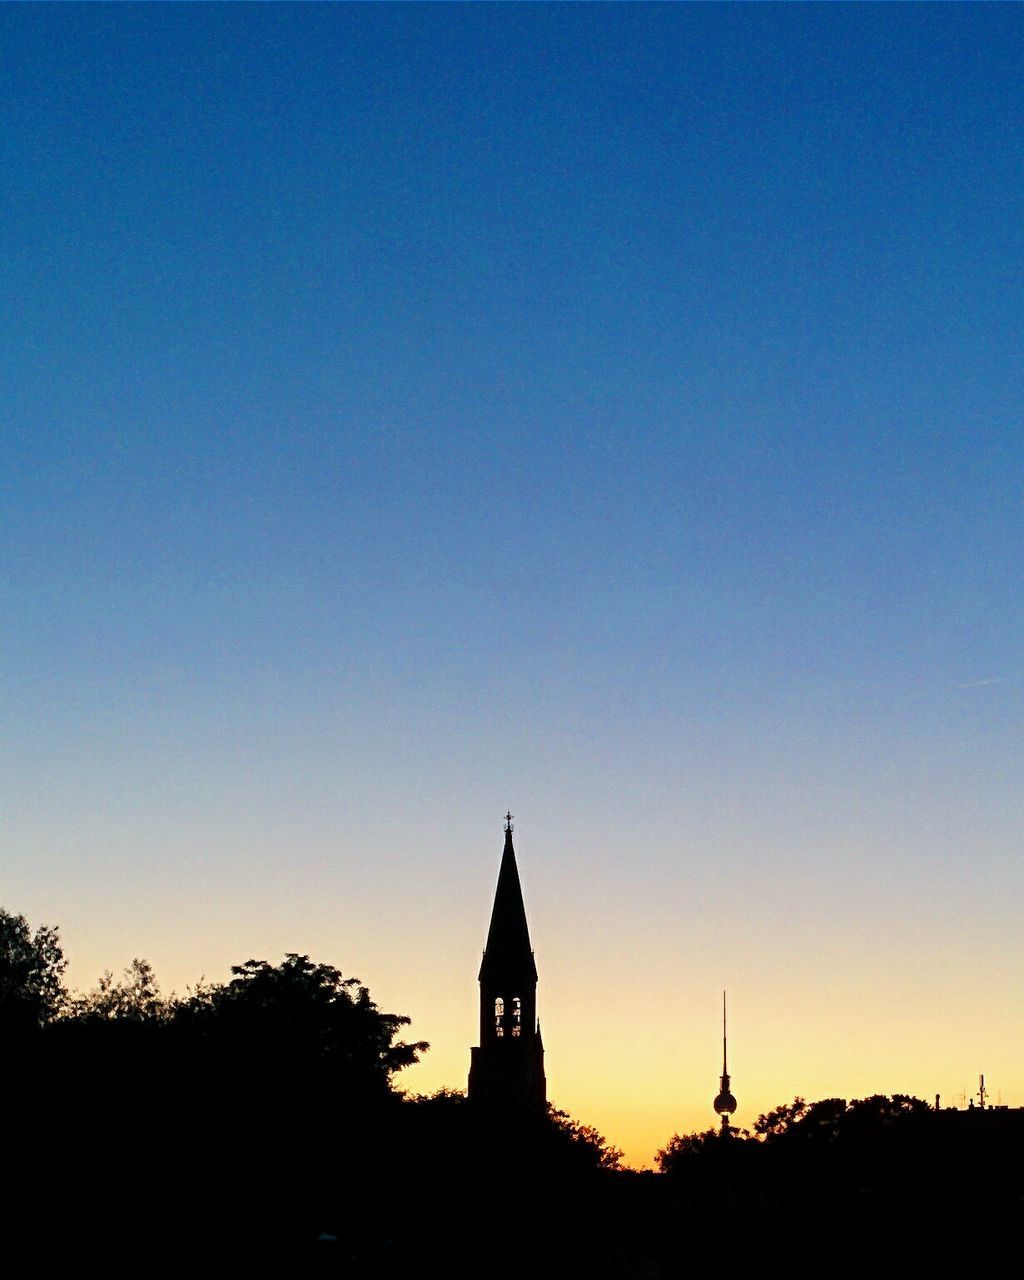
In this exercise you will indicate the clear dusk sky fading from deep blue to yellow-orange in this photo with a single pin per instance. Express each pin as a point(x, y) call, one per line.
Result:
point(605, 413)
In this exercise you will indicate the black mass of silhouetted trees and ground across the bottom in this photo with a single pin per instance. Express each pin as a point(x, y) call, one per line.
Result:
point(262, 1113)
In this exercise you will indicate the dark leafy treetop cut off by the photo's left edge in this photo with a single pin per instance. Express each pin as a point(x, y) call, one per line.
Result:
point(33, 967)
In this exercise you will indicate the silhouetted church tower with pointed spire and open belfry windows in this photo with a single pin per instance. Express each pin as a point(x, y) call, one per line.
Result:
point(508, 1068)
